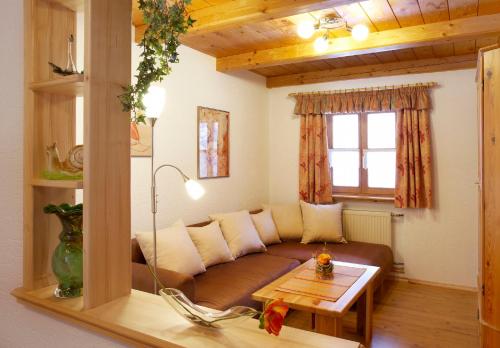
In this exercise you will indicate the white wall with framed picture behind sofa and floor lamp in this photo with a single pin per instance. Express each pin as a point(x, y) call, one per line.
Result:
point(195, 82)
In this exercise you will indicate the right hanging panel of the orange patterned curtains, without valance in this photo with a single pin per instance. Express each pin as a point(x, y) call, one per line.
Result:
point(413, 159)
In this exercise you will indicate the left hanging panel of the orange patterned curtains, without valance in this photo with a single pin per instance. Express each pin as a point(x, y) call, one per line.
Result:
point(315, 183)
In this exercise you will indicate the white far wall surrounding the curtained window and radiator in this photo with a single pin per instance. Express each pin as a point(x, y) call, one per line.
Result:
point(439, 244)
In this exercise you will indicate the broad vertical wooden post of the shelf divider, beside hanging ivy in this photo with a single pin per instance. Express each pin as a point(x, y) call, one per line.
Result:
point(107, 265)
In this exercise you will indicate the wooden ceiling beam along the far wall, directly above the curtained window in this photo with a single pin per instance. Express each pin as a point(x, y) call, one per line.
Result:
point(376, 70)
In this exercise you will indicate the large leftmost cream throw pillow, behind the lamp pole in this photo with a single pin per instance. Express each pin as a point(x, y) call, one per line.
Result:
point(175, 249)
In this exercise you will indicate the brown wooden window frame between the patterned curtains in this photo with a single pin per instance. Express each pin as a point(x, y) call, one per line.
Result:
point(362, 190)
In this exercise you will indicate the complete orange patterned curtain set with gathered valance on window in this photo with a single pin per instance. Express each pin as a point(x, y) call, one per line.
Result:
point(413, 140)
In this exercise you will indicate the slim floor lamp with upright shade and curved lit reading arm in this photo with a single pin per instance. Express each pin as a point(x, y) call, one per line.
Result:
point(154, 102)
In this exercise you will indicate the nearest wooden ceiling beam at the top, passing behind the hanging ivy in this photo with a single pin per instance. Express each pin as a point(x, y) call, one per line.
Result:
point(231, 14)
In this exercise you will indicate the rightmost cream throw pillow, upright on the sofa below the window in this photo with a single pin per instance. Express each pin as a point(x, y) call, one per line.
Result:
point(322, 223)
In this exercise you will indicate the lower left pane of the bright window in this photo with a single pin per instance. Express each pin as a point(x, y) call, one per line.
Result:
point(345, 166)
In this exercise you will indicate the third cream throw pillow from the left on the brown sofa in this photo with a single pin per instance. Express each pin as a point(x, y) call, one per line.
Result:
point(239, 232)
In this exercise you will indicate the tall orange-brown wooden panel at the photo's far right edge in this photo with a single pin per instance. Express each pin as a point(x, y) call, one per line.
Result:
point(490, 198)
